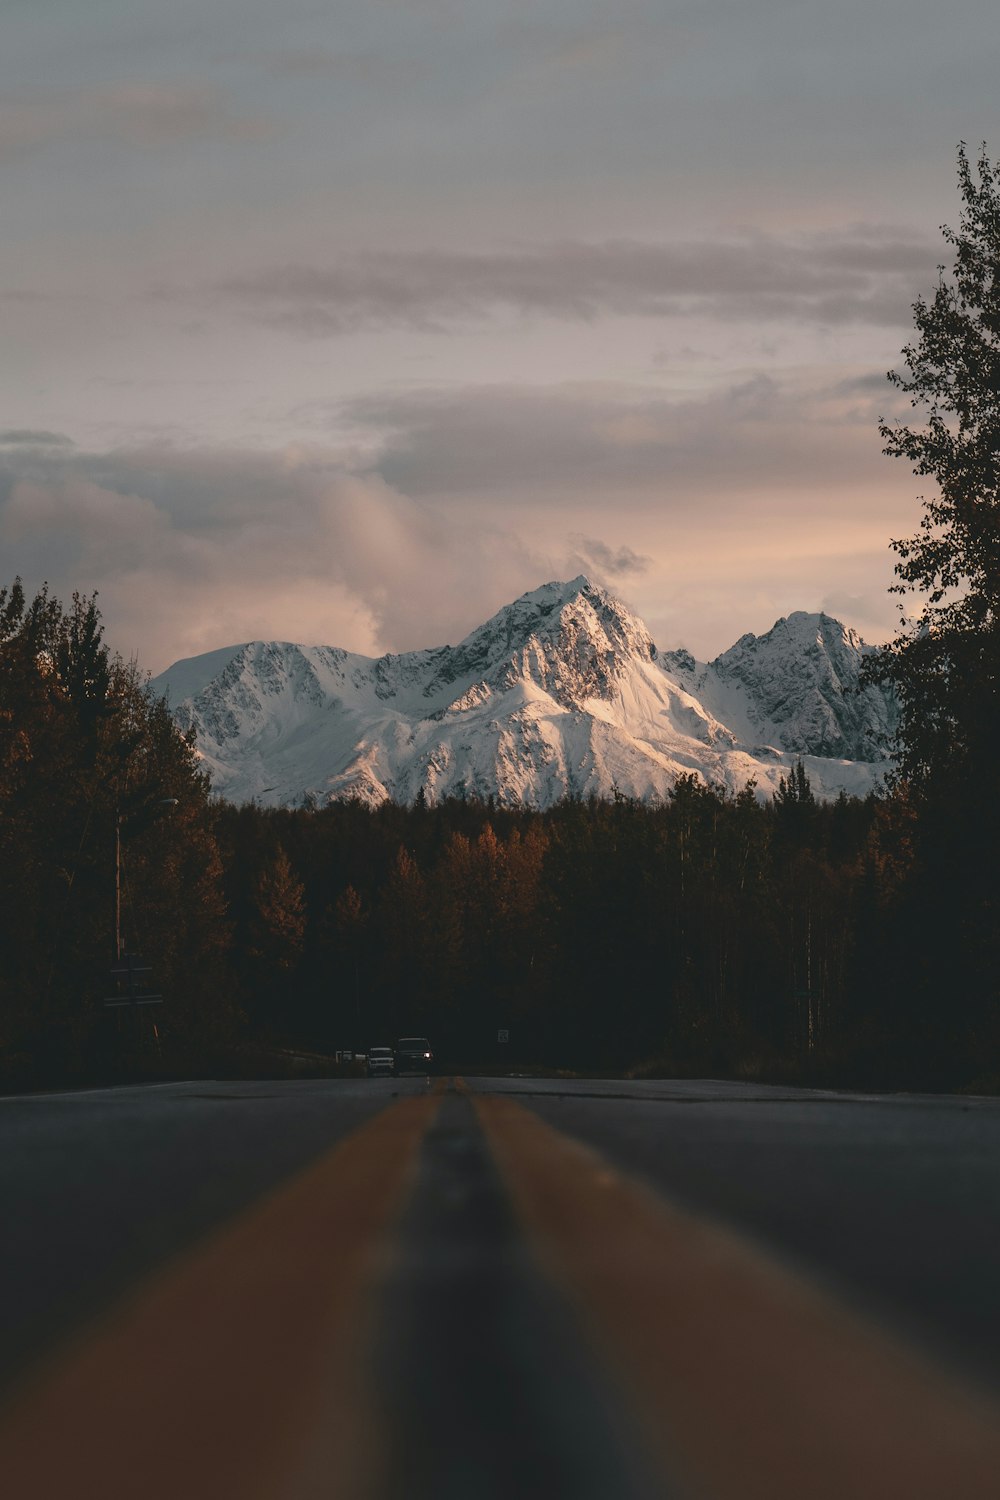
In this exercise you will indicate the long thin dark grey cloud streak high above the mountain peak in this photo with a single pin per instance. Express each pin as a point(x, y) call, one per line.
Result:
point(864, 275)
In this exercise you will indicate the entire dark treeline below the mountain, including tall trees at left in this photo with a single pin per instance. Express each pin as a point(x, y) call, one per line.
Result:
point(710, 934)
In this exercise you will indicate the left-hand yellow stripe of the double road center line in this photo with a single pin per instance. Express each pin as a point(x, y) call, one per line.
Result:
point(238, 1372)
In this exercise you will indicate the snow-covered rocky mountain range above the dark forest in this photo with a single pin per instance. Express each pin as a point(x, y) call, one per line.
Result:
point(560, 694)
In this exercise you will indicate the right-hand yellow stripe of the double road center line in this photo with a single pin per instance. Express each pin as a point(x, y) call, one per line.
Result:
point(750, 1382)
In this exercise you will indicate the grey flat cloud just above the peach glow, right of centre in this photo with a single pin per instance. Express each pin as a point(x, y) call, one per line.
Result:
point(566, 445)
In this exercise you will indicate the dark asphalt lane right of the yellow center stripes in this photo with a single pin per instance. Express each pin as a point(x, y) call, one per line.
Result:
point(891, 1201)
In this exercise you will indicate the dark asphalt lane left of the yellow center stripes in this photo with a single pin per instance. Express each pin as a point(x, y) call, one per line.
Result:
point(101, 1187)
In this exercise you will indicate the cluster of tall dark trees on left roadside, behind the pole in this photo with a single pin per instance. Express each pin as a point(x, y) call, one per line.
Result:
point(92, 766)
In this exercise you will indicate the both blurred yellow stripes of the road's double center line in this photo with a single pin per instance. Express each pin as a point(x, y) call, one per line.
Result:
point(242, 1372)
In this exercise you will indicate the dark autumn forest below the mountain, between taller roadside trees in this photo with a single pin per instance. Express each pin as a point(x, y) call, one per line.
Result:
point(710, 934)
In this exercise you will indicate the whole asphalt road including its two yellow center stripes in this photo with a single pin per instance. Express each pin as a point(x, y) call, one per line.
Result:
point(500, 1288)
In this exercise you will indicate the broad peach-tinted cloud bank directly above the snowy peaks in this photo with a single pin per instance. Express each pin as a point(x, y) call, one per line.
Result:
point(711, 512)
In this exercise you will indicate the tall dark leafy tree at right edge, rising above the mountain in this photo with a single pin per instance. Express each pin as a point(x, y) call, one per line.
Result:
point(945, 664)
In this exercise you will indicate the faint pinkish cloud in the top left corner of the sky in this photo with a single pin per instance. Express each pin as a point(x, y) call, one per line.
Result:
point(137, 115)
